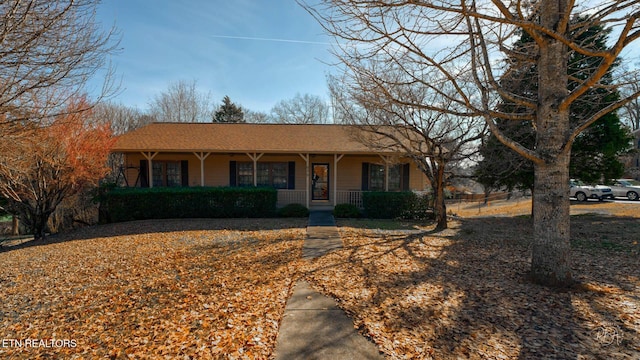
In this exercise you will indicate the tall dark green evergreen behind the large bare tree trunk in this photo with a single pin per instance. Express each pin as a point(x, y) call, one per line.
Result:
point(594, 153)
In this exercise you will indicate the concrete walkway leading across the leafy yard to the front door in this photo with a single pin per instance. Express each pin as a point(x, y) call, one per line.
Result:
point(313, 327)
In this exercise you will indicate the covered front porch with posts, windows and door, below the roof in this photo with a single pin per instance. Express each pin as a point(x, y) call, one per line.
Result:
point(311, 179)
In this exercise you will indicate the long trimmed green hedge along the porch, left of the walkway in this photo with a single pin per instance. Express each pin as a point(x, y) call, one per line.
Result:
point(126, 204)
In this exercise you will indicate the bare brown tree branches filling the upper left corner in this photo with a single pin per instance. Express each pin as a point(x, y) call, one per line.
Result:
point(49, 49)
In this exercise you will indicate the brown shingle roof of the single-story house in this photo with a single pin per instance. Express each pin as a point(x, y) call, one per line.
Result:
point(223, 137)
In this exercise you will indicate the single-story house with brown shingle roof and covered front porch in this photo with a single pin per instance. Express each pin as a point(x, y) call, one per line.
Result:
point(314, 165)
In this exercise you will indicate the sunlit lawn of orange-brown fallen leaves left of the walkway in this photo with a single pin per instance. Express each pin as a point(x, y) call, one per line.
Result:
point(163, 289)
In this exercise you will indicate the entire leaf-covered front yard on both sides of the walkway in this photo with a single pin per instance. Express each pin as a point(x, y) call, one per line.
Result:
point(216, 289)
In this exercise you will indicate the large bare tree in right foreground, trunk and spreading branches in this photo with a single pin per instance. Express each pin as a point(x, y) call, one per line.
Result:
point(462, 46)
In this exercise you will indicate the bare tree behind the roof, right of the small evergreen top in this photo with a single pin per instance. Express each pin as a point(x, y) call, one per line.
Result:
point(301, 109)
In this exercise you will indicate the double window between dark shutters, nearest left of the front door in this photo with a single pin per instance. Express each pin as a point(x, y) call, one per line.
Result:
point(273, 174)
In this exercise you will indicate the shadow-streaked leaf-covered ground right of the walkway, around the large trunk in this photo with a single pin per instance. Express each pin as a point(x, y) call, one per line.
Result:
point(464, 294)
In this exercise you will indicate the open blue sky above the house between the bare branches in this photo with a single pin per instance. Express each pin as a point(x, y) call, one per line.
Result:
point(257, 52)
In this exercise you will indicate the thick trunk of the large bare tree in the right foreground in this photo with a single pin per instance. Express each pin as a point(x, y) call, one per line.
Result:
point(551, 258)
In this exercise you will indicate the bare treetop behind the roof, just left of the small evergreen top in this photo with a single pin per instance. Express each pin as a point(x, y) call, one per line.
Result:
point(182, 102)
